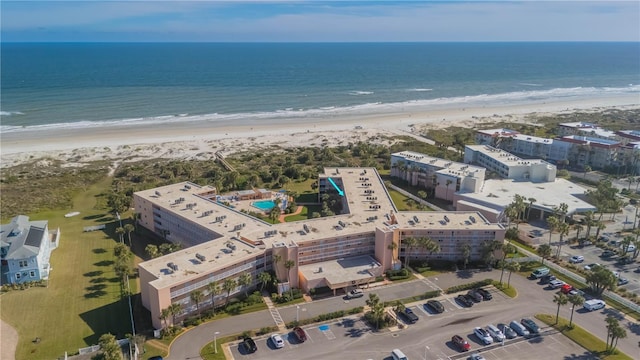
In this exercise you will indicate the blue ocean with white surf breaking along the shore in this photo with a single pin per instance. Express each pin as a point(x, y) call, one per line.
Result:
point(45, 85)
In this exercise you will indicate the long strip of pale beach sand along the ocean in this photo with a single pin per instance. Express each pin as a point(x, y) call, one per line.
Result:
point(202, 139)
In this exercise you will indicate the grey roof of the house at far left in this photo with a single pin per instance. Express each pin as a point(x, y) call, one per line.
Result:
point(23, 237)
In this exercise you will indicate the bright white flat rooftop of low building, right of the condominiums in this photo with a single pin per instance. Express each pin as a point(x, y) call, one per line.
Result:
point(501, 192)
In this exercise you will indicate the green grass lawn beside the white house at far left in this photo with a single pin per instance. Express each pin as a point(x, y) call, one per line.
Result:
point(82, 300)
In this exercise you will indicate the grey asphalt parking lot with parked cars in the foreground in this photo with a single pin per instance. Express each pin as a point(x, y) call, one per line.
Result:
point(428, 338)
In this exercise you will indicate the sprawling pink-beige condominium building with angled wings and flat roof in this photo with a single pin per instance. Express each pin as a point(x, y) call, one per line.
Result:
point(341, 251)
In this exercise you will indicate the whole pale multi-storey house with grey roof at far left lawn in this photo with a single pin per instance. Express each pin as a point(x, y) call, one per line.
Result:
point(25, 249)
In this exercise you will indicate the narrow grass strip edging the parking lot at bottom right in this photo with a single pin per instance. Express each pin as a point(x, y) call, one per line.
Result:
point(582, 337)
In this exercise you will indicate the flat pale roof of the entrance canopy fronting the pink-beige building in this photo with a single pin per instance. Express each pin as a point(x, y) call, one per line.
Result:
point(340, 271)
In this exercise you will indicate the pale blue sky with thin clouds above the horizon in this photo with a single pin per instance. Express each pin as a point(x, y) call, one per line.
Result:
point(318, 21)
